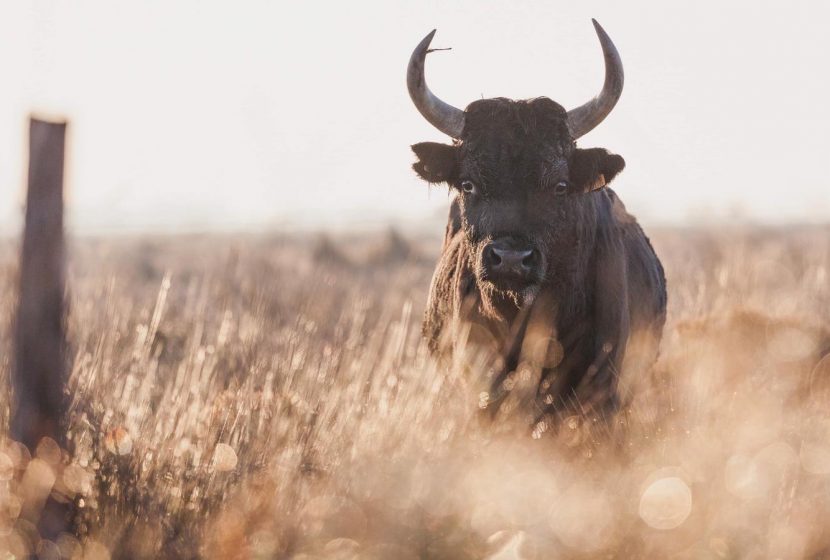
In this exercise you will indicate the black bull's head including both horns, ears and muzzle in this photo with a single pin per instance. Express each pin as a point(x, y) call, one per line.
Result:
point(526, 194)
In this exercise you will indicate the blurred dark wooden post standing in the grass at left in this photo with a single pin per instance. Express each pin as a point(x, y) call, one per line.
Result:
point(39, 371)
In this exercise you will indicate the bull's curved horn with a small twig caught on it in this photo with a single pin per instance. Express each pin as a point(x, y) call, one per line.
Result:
point(444, 117)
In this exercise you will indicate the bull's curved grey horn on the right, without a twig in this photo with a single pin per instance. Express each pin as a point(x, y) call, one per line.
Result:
point(584, 118)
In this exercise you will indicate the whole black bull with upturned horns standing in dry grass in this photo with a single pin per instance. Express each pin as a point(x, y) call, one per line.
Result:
point(546, 282)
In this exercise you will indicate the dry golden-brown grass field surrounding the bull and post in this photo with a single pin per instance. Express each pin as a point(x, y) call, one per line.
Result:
point(269, 397)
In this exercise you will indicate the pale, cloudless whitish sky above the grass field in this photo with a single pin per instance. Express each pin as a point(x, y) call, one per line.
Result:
point(258, 115)
